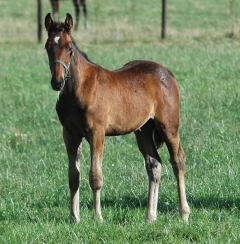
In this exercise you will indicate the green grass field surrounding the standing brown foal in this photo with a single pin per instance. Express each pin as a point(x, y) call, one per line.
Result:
point(202, 50)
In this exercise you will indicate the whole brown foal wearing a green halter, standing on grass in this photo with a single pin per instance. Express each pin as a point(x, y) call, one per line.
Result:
point(141, 97)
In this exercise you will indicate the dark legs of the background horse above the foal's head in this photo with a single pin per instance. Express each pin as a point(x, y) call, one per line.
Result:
point(77, 3)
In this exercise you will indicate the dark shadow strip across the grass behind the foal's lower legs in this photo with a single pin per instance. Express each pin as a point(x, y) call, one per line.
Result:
point(165, 204)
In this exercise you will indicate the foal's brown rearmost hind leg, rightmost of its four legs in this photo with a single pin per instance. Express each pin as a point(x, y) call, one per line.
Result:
point(177, 159)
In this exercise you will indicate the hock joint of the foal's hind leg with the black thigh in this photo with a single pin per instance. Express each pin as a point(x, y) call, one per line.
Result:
point(153, 168)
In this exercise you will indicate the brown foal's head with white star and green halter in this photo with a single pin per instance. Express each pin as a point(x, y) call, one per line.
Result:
point(59, 49)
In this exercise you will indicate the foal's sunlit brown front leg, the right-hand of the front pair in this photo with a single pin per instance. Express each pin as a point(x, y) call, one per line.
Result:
point(95, 174)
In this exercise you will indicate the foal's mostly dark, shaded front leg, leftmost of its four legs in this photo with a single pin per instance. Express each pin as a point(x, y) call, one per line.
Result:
point(74, 147)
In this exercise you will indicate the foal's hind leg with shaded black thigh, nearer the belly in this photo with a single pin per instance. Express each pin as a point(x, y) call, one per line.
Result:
point(153, 167)
